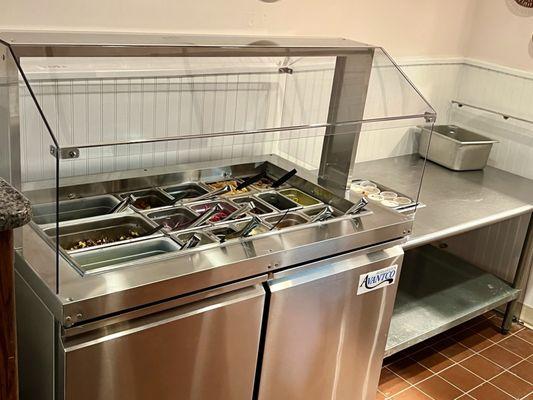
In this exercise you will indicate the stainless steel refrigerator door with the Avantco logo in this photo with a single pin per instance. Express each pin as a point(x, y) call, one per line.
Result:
point(323, 339)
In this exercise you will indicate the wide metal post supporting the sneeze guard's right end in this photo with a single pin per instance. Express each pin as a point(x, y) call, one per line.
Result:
point(347, 104)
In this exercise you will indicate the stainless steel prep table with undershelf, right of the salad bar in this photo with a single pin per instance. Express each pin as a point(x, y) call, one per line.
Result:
point(455, 203)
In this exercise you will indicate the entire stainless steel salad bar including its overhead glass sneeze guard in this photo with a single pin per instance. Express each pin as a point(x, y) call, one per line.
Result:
point(222, 262)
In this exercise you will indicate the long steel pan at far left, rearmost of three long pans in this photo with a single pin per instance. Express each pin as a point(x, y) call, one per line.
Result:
point(73, 209)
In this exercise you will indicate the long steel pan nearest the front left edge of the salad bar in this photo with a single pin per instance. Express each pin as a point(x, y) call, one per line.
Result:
point(100, 260)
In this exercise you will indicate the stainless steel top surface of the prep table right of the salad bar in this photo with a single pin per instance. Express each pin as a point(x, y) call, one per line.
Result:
point(456, 202)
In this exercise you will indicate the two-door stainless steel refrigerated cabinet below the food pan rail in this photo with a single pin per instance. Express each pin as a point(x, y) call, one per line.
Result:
point(304, 333)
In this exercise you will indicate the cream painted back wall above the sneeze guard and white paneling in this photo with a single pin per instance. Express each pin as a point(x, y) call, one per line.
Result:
point(406, 28)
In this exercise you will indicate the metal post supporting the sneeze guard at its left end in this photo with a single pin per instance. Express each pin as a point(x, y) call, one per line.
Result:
point(9, 119)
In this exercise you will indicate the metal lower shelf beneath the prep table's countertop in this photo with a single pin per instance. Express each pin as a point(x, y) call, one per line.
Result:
point(438, 291)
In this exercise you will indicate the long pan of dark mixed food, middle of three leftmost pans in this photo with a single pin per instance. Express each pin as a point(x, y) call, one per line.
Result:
point(107, 230)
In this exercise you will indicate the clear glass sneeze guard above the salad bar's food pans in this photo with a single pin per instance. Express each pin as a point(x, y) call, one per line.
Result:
point(126, 117)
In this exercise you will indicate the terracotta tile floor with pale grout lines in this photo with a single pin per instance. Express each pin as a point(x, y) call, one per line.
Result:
point(471, 361)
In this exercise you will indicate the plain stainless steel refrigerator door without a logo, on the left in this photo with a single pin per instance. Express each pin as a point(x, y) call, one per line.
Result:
point(202, 351)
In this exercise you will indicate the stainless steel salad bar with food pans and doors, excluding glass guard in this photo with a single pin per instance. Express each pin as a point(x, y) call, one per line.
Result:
point(243, 260)
